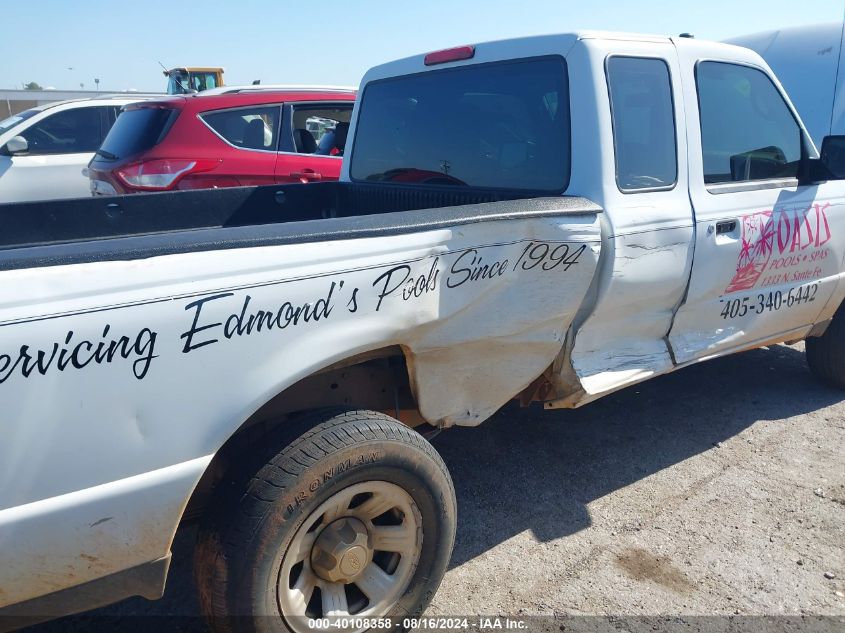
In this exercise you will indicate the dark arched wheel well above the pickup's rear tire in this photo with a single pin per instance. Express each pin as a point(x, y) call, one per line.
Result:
point(377, 380)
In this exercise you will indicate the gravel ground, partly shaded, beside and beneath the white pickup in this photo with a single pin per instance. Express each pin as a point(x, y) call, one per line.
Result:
point(719, 489)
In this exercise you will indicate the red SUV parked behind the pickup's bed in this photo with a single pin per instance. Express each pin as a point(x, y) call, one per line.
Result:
point(225, 138)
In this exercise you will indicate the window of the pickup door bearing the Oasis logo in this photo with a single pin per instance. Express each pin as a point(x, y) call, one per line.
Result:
point(747, 130)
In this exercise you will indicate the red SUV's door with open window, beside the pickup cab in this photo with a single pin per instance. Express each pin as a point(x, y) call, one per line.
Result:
point(313, 141)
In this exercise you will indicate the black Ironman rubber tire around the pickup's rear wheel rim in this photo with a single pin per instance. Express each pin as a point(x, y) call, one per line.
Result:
point(253, 518)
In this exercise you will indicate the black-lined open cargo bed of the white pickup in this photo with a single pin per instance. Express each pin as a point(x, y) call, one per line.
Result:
point(145, 225)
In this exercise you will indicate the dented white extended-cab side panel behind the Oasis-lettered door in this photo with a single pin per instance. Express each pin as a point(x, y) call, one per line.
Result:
point(647, 257)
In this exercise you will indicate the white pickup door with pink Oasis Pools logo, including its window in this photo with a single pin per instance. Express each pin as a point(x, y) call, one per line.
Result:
point(768, 252)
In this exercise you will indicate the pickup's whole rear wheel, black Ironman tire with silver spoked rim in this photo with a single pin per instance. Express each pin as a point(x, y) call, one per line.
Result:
point(354, 518)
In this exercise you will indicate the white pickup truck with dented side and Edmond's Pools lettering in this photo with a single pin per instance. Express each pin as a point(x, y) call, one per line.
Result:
point(545, 219)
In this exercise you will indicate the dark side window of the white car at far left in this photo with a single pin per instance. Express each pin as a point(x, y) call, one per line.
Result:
point(67, 132)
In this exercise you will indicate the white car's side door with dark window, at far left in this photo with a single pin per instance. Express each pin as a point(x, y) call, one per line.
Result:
point(60, 146)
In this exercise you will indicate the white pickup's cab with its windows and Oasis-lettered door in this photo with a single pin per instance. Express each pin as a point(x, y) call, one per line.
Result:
point(712, 243)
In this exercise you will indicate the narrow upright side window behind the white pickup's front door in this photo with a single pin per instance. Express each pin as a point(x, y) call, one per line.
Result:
point(643, 123)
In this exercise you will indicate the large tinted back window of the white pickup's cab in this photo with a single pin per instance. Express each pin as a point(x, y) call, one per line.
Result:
point(500, 125)
